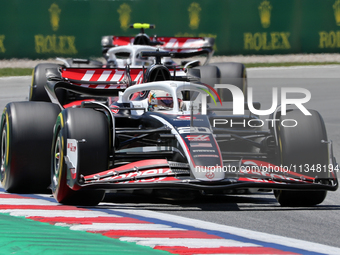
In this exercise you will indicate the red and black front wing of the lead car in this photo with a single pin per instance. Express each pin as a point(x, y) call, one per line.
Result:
point(163, 174)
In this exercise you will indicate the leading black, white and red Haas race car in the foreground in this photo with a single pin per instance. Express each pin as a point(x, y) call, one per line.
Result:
point(162, 130)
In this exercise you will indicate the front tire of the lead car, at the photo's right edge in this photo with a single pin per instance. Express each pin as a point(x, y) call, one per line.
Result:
point(302, 146)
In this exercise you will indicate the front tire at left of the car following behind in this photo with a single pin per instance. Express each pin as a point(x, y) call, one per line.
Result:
point(37, 89)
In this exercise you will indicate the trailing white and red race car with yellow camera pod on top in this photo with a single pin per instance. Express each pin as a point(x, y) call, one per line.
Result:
point(120, 51)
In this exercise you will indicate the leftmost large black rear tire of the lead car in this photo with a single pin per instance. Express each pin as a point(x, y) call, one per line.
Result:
point(26, 138)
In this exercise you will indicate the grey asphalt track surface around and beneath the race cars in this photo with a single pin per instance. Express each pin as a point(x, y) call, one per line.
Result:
point(258, 212)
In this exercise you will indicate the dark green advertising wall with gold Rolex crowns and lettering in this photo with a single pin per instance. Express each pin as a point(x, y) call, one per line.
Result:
point(50, 28)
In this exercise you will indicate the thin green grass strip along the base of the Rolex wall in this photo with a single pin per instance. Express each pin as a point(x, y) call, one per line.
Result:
point(28, 71)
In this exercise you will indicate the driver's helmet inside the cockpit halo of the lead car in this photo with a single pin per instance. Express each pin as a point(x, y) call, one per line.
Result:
point(161, 100)
